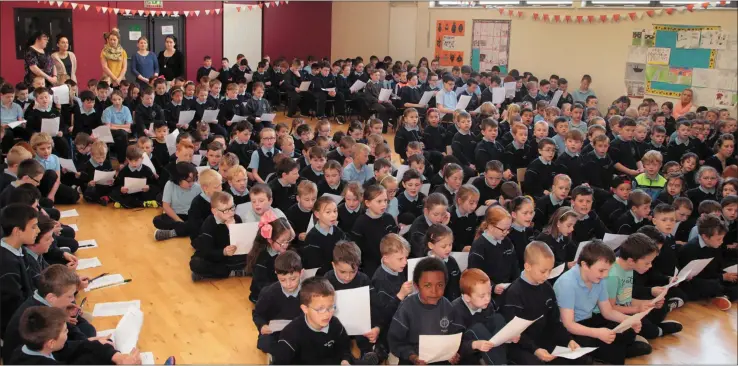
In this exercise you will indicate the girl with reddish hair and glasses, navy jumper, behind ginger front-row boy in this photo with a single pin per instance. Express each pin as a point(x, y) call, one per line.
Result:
point(493, 252)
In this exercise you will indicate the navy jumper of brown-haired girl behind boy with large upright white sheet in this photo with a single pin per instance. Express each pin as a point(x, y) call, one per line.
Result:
point(368, 232)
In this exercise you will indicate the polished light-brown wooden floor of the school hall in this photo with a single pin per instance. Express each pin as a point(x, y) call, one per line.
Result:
point(210, 322)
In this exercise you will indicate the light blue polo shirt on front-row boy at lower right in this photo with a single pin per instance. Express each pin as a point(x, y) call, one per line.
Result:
point(573, 293)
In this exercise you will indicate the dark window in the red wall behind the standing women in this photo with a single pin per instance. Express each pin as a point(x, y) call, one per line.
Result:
point(51, 21)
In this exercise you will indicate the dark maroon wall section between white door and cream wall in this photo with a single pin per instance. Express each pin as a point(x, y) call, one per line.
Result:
point(298, 29)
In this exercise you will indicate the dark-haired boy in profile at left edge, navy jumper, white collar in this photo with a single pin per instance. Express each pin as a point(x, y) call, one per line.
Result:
point(19, 226)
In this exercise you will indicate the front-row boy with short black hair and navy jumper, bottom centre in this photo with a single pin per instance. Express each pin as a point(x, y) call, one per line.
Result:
point(427, 312)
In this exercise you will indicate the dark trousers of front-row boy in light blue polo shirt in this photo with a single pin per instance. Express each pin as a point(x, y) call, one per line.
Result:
point(613, 353)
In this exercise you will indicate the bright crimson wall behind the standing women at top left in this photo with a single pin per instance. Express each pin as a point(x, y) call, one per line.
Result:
point(204, 35)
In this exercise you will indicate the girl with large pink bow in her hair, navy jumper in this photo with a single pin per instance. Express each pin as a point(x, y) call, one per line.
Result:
point(273, 238)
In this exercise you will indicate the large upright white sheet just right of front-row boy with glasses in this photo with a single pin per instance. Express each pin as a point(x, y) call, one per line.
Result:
point(353, 310)
